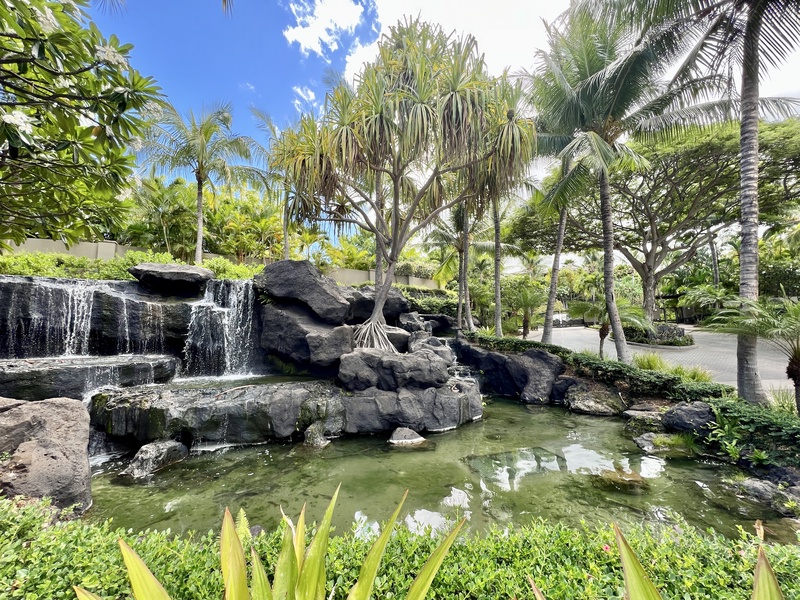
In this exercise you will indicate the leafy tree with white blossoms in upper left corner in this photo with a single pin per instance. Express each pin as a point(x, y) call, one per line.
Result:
point(69, 105)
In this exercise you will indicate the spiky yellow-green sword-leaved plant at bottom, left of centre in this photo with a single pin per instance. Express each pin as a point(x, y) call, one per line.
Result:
point(299, 571)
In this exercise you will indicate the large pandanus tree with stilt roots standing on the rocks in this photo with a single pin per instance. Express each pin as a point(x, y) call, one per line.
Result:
point(423, 120)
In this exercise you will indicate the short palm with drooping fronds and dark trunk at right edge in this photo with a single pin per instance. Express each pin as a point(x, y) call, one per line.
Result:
point(777, 322)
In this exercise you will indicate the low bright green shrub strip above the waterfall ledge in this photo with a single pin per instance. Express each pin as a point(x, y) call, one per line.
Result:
point(46, 264)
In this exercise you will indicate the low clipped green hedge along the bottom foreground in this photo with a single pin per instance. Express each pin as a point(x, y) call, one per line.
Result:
point(41, 561)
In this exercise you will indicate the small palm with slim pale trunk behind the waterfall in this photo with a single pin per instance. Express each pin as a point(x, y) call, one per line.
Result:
point(203, 144)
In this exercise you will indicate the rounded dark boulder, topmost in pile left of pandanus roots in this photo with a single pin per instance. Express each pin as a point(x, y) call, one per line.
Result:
point(301, 282)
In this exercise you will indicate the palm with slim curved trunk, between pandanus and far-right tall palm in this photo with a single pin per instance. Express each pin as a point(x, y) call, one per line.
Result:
point(602, 82)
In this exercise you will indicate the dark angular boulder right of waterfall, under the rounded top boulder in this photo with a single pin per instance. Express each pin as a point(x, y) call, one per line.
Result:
point(294, 333)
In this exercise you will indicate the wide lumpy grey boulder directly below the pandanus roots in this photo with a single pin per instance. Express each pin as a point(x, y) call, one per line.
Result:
point(369, 367)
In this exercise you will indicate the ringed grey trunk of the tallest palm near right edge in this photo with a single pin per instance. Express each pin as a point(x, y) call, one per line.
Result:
point(747, 376)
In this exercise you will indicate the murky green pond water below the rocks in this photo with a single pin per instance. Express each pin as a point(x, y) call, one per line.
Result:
point(517, 464)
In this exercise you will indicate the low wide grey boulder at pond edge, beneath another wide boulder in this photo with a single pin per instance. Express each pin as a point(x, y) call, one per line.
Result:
point(432, 409)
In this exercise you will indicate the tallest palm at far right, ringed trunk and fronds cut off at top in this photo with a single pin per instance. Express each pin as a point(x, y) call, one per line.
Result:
point(748, 33)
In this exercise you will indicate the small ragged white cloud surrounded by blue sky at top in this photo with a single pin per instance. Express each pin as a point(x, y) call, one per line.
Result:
point(320, 23)
